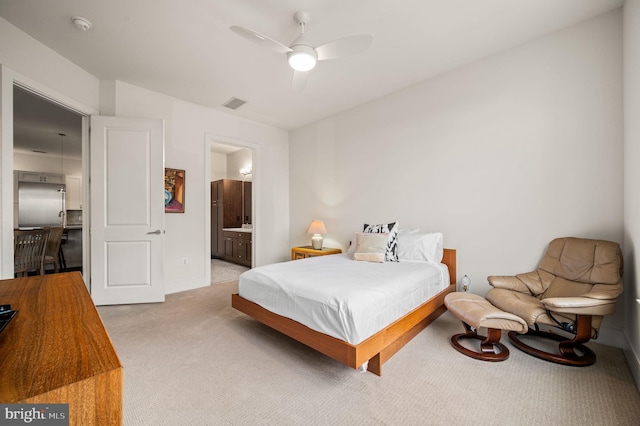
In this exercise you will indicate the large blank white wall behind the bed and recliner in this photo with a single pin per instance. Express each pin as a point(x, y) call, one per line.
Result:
point(502, 155)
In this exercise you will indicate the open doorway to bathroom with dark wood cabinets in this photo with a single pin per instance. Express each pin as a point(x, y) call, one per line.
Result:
point(232, 211)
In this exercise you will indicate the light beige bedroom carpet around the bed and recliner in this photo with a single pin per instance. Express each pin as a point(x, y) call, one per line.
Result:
point(194, 360)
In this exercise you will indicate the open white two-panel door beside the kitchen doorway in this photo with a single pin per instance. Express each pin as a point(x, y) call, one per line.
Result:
point(127, 210)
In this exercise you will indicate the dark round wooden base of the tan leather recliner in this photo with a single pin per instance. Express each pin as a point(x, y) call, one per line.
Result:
point(567, 356)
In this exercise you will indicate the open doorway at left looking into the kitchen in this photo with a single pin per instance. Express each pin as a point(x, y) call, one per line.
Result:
point(47, 163)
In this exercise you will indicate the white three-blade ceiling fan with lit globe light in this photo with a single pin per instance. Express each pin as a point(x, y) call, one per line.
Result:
point(302, 55)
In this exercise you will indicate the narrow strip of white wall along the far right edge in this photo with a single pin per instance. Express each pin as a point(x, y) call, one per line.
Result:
point(632, 180)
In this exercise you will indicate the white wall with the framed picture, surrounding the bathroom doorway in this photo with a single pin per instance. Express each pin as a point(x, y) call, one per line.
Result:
point(187, 127)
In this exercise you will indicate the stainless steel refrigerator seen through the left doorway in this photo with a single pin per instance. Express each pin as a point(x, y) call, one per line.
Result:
point(41, 204)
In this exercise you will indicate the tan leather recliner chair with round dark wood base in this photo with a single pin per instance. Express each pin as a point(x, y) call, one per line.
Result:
point(576, 284)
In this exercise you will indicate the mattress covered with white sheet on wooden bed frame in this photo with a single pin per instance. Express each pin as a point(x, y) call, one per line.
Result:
point(343, 298)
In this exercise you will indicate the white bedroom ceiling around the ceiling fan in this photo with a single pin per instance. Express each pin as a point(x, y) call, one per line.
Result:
point(185, 48)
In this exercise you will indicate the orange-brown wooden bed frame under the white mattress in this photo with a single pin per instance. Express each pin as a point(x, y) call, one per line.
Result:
point(378, 348)
